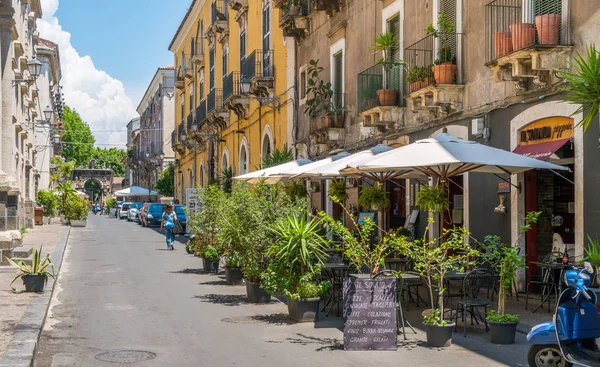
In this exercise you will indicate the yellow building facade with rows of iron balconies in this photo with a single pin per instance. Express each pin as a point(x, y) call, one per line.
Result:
point(233, 101)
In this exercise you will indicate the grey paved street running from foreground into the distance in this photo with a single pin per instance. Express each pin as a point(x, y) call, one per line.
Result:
point(119, 289)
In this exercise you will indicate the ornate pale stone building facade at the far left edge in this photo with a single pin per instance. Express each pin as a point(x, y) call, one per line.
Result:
point(20, 112)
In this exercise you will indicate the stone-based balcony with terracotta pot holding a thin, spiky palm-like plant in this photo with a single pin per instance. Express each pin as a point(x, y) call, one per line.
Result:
point(379, 107)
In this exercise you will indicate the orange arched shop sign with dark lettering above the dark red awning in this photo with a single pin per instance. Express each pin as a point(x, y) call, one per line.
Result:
point(554, 128)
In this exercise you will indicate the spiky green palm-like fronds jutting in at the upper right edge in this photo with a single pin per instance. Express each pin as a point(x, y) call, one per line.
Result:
point(583, 84)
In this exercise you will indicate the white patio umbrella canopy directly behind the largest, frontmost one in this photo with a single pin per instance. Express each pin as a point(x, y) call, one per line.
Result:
point(332, 169)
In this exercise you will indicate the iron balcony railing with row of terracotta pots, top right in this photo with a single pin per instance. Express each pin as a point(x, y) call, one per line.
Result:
point(513, 25)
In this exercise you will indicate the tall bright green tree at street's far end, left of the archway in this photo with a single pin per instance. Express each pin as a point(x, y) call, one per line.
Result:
point(78, 141)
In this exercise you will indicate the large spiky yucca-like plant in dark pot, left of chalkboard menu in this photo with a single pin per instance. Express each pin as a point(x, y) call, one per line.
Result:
point(294, 265)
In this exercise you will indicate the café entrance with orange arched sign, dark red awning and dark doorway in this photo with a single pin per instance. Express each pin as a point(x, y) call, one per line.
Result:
point(552, 194)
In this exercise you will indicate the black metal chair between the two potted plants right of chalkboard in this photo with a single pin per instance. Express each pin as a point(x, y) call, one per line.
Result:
point(477, 288)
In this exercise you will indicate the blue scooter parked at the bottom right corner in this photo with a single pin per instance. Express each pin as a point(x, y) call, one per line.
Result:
point(574, 335)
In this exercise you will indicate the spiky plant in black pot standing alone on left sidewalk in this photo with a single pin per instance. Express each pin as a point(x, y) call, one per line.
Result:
point(35, 276)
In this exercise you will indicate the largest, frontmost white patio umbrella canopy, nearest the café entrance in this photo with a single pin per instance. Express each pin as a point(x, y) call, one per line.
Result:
point(445, 156)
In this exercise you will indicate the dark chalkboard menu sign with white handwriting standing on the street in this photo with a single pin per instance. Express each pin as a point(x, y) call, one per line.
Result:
point(370, 314)
